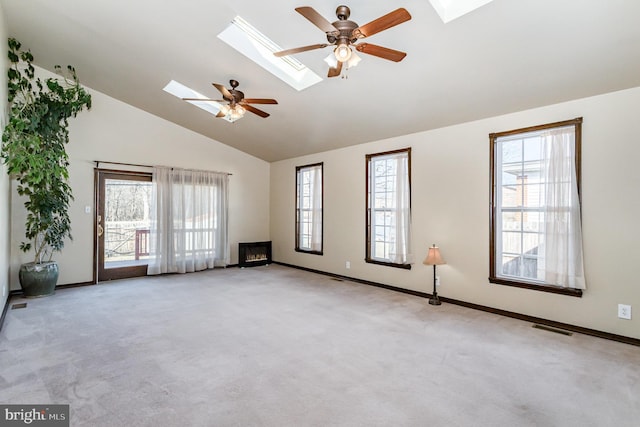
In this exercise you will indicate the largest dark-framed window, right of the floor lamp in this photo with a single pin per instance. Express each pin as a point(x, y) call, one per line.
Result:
point(536, 236)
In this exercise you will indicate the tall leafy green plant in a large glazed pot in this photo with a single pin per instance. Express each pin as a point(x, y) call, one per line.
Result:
point(34, 150)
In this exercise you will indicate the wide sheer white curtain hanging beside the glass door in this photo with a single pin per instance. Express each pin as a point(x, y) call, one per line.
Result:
point(188, 221)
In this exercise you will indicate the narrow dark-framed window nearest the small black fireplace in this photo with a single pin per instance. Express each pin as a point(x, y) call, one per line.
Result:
point(309, 208)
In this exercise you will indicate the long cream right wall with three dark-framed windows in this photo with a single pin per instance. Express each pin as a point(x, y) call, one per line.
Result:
point(450, 207)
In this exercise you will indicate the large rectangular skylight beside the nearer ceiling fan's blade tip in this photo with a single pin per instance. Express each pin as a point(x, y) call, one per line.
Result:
point(247, 40)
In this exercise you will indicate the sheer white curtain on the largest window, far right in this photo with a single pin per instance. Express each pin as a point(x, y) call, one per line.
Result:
point(562, 225)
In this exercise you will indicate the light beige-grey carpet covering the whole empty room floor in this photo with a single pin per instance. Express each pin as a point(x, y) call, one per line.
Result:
point(275, 346)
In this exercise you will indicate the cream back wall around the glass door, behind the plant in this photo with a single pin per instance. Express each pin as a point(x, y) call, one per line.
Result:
point(117, 132)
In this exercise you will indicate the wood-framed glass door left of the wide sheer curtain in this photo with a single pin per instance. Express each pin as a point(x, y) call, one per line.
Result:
point(122, 224)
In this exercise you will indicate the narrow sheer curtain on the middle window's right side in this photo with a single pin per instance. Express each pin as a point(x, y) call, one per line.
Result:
point(401, 253)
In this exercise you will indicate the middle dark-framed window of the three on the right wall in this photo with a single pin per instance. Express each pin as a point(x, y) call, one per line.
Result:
point(389, 208)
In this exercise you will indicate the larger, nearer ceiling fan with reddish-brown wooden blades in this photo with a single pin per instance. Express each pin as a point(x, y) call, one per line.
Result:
point(343, 34)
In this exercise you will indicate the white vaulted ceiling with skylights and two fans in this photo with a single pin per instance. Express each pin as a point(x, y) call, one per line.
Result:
point(502, 57)
